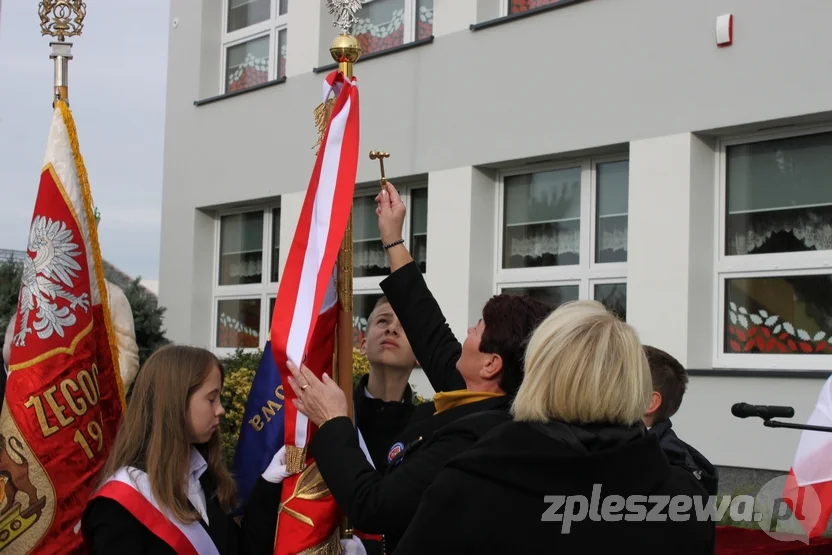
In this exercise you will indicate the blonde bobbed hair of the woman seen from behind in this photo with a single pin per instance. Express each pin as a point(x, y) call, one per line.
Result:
point(583, 365)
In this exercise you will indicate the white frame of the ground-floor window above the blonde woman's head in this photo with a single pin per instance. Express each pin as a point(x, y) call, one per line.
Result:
point(587, 272)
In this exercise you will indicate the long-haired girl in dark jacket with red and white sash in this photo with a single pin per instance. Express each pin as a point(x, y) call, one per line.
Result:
point(165, 488)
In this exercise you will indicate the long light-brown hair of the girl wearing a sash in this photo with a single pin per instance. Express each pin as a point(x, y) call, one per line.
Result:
point(154, 433)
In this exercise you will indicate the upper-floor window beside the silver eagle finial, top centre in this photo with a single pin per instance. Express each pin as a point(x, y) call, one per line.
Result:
point(383, 24)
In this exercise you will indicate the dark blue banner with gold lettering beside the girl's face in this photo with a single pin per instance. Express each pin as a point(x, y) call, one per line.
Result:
point(261, 434)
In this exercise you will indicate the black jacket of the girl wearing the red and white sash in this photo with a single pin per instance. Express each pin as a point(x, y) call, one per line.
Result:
point(110, 529)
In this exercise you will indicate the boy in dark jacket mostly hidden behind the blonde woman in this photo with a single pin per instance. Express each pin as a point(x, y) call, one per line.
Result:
point(669, 383)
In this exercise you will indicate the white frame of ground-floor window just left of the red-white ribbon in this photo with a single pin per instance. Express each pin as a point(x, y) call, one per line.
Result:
point(264, 291)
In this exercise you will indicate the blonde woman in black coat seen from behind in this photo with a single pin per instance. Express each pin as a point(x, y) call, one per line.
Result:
point(574, 471)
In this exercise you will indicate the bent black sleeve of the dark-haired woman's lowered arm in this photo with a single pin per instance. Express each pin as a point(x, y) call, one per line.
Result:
point(377, 503)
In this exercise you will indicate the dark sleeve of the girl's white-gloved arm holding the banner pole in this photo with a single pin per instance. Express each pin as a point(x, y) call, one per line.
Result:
point(260, 519)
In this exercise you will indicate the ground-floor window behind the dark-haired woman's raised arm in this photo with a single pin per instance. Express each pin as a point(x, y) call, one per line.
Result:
point(370, 263)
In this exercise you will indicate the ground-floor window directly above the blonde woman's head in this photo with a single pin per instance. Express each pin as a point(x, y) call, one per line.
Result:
point(563, 233)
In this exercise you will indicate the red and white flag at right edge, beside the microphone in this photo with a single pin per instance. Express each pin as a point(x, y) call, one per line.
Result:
point(808, 488)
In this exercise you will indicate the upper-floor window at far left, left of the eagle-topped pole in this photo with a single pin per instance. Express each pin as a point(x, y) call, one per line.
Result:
point(253, 43)
